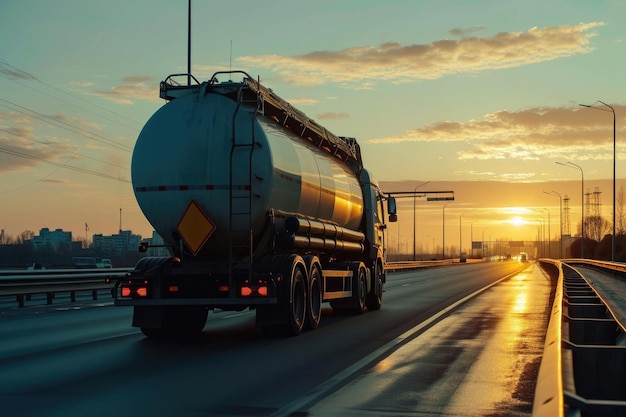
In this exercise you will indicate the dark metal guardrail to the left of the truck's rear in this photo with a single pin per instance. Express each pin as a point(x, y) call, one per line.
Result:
point(24, 284)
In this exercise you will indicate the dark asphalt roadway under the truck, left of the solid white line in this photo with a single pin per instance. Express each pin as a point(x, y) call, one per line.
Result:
point(58, 361)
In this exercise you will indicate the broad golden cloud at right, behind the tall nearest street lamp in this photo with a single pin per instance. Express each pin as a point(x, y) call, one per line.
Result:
point(528, 134)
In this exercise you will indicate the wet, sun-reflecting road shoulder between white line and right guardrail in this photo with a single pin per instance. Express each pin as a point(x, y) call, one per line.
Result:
point(481, 360)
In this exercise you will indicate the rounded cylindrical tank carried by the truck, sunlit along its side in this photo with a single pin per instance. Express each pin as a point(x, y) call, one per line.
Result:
point(211, 155)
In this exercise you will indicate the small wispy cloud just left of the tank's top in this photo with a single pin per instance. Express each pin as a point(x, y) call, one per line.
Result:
point(138, 87)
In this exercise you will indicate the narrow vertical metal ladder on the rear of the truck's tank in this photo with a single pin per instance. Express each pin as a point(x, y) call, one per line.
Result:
point(241, 236)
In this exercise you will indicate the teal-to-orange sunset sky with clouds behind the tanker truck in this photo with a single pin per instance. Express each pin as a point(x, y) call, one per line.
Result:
point(459, 93)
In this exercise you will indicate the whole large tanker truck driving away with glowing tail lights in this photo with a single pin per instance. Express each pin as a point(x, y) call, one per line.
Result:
point(260, 208)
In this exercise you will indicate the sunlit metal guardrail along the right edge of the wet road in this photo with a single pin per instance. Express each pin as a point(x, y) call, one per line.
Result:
point(582, 371)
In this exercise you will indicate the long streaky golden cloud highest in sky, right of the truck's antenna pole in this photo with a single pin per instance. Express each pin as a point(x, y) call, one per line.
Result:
point(391, 61)
